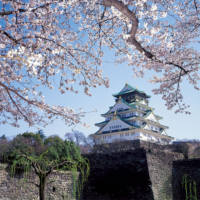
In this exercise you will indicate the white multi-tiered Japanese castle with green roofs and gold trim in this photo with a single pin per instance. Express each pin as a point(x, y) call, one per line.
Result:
point(132, 118)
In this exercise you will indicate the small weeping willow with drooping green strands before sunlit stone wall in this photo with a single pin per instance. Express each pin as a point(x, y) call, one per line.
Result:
point(44, 167)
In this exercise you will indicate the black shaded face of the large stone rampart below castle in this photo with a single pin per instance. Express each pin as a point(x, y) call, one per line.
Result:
point(121, 175)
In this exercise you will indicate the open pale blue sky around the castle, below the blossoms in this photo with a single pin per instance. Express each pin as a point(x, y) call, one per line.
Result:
point(180, 125)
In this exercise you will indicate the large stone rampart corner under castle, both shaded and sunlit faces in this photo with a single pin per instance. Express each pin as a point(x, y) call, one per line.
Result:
point(133, 174)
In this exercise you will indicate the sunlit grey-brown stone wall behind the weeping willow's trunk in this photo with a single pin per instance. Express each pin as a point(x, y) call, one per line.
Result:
point(59, 185)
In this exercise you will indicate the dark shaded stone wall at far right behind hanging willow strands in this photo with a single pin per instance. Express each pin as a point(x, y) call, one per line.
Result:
point(181, 167)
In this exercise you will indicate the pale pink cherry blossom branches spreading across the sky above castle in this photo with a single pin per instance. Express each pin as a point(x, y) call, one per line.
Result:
point(43, 39)
